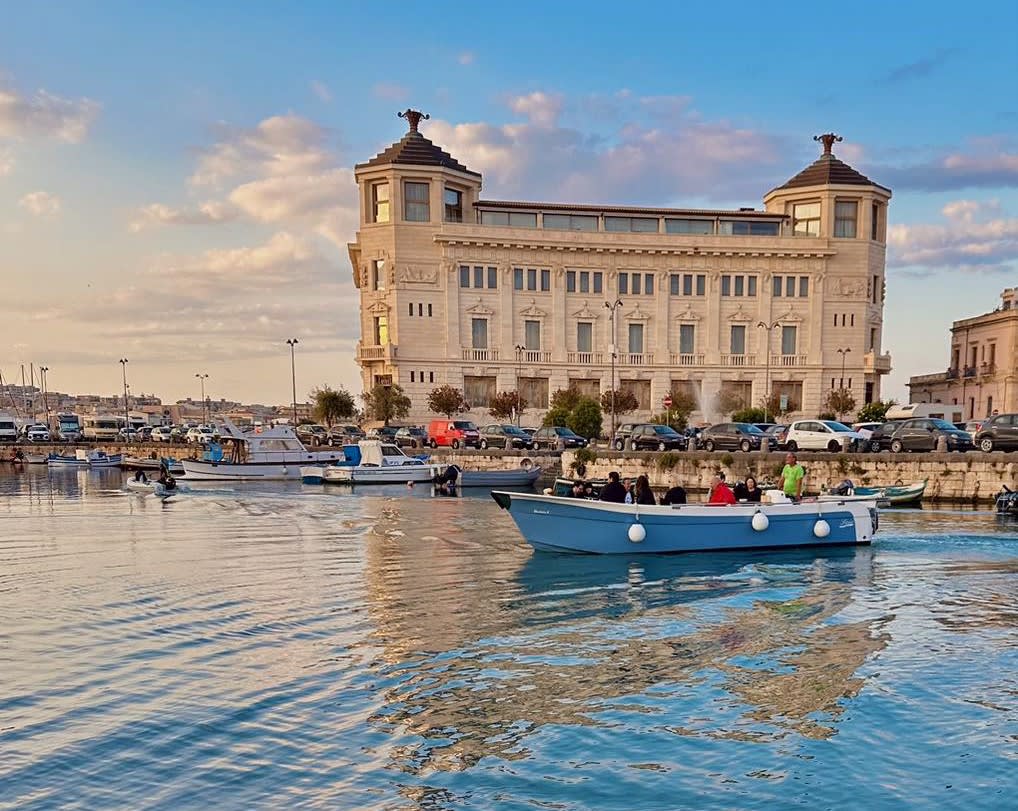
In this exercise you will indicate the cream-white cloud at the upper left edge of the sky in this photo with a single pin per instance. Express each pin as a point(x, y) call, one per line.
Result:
point(45, 115)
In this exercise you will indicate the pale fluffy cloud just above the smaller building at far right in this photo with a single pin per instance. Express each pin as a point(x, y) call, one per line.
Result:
point(976, 236)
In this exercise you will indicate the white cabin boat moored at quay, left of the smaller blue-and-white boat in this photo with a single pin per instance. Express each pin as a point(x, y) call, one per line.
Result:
point(272, 454)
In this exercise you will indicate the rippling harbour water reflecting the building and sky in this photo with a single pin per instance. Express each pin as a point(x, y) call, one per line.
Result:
point(299, 648)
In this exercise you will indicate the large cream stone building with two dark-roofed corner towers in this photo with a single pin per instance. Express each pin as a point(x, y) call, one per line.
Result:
point(484, 295)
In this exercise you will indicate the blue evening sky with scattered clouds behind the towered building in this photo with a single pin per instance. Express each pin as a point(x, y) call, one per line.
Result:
point(176, 186)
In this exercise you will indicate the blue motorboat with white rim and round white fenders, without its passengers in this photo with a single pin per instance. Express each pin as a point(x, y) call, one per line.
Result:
point(577, 526)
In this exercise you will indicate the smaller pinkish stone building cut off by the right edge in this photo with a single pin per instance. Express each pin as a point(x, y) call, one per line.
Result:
point(983, 369)
